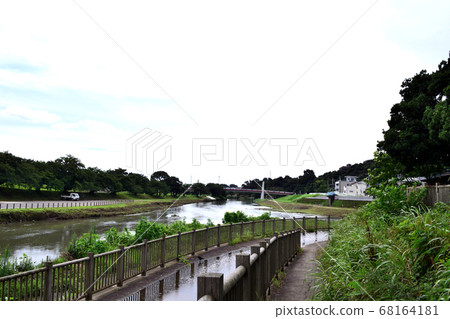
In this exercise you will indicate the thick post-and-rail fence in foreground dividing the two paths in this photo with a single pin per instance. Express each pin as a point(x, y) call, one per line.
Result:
point(254, 272)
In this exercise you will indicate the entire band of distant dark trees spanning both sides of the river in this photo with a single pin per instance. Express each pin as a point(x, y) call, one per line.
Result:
point(68, 173)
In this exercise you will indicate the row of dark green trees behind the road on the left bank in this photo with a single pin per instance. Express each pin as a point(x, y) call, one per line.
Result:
point(68, 173)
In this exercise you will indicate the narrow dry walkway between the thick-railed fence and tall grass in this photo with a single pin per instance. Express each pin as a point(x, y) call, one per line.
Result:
point(297, 284)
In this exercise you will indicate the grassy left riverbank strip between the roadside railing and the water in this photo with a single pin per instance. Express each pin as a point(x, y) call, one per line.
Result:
point(135, 207)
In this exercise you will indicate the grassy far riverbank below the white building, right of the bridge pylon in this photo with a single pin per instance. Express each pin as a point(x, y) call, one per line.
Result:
point(293, 207)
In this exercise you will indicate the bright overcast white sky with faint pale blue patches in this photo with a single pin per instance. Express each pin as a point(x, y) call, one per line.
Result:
point(202, 89)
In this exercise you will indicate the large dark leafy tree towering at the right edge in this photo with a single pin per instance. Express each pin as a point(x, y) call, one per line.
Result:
point(413, 139)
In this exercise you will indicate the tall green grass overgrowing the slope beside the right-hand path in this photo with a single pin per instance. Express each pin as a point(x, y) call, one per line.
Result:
point(400, 256)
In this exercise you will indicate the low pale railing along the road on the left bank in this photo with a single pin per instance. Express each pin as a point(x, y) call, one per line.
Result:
point(58, 204)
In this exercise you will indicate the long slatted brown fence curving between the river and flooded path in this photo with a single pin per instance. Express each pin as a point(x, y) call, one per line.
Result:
point(81, 278)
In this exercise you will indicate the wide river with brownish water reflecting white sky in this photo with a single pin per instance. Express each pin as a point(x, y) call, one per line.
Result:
point(51, 237)
